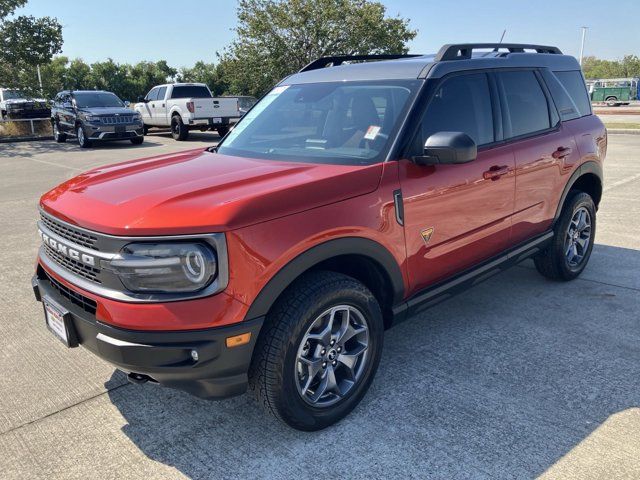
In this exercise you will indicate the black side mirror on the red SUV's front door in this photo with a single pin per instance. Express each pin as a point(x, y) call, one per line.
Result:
point(447, 148)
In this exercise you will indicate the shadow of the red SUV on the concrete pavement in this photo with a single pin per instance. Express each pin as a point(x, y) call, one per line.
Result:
point(502, 382)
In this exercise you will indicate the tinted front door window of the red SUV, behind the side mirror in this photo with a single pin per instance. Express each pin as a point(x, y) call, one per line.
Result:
point(461, 104)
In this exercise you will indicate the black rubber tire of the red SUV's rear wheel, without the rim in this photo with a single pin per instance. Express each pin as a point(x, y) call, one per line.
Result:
point(553, 262)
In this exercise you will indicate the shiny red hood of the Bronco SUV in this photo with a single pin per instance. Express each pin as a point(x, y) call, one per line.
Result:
point(201, 192)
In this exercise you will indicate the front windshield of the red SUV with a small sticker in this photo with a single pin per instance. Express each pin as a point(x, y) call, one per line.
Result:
point(338, 122)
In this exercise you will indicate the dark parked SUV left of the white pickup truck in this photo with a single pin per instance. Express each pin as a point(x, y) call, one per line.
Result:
point(94, 116)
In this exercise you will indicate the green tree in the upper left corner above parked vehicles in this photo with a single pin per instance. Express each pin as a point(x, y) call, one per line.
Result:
point(25, 42)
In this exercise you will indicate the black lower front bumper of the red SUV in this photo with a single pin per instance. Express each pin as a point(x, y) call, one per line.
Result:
point(164, 357)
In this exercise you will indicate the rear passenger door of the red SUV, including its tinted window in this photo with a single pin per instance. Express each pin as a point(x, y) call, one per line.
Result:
point(544, 150)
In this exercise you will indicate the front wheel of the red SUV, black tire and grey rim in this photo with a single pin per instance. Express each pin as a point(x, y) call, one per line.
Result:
point(318, 351)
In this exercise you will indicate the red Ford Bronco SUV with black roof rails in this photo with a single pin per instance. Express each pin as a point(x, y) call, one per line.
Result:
point(346, 200)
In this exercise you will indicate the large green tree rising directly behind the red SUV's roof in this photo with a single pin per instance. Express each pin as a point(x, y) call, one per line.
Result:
point(278, 37)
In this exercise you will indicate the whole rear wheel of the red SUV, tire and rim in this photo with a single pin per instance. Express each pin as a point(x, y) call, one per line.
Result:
point(569, 252)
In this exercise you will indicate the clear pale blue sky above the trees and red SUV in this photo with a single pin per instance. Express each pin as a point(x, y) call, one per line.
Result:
point(133, 30)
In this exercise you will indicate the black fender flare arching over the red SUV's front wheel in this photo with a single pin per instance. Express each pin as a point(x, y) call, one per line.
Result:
point(319, 253)
